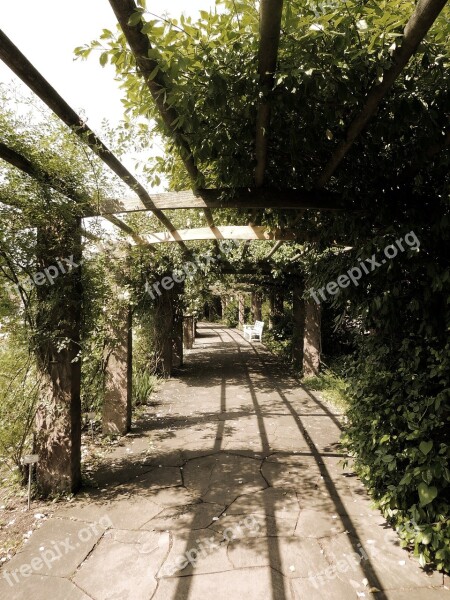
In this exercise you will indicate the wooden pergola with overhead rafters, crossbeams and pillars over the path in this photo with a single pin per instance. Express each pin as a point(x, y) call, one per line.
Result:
point(59, 443)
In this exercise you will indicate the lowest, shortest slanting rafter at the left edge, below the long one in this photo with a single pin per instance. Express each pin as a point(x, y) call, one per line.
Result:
point(26, 166)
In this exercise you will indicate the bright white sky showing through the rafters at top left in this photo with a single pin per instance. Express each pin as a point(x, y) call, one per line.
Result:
point(47, 31)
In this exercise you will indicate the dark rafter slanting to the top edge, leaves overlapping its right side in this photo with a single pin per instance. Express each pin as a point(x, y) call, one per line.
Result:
point(158, 86)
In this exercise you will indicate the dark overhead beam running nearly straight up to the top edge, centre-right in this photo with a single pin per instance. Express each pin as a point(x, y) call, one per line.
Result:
point(270, 13)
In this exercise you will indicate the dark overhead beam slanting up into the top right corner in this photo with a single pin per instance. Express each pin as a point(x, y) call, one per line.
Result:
point(425, 13)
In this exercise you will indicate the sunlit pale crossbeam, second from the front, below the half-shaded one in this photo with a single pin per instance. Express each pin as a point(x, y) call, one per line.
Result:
point(241, 232)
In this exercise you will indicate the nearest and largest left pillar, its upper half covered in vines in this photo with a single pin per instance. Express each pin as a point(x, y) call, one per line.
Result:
point(57, 347)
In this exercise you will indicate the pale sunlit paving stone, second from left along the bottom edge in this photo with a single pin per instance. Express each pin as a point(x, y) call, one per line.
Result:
point(124, 565)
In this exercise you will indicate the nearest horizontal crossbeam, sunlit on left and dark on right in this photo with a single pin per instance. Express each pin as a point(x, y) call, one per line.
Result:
point(239, 198)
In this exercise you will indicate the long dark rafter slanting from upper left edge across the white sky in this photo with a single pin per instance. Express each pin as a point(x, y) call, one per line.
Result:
point(22, 67)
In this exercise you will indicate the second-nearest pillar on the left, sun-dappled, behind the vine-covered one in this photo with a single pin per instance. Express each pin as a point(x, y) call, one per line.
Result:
point(116, 418)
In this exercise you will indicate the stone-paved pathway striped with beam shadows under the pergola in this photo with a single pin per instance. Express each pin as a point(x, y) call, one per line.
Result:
point(233, 489)
